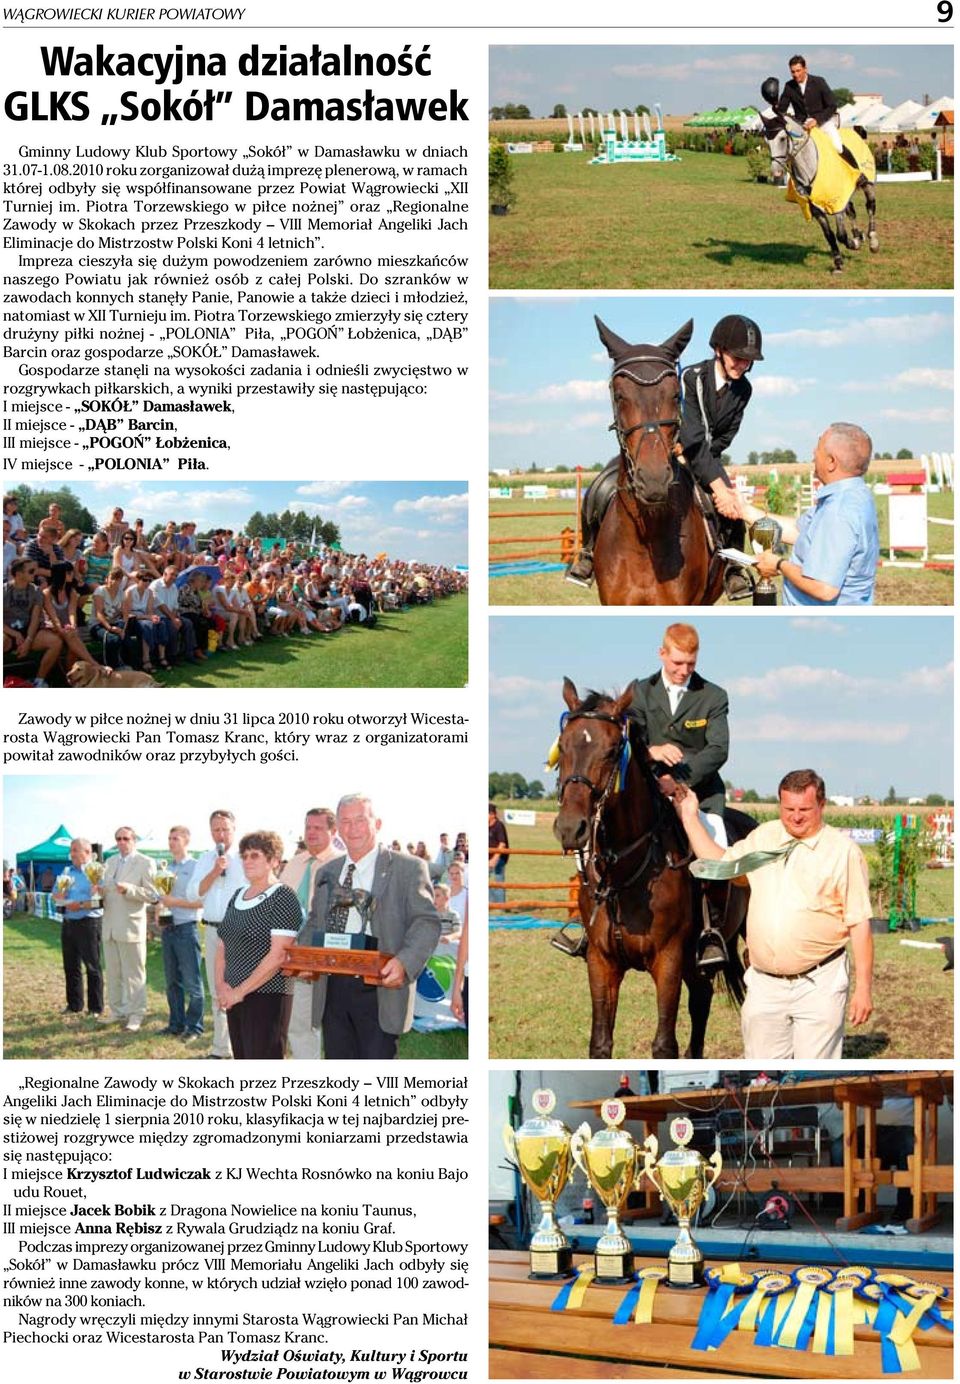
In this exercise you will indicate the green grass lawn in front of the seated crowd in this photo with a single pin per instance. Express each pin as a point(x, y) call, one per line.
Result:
point(424, 647)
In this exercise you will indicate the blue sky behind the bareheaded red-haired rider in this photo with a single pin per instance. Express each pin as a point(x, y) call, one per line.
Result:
point(868, 702)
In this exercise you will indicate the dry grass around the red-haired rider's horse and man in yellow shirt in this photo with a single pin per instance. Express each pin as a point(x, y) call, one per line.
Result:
point(540, 1001)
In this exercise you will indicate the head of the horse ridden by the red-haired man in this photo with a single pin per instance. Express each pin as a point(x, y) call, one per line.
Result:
point(594, 734)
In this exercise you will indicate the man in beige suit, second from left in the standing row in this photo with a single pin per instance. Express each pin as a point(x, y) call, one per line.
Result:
point(128, 888)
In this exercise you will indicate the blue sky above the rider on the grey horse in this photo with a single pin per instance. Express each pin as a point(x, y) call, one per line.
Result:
point(696, 78)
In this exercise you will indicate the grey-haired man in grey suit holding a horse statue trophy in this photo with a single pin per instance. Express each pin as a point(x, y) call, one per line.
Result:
point(384, 902)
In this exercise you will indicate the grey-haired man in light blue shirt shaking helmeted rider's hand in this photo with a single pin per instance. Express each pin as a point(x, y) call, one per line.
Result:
point(836, 543)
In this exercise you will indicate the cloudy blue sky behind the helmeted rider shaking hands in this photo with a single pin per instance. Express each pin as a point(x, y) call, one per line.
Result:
point(882, 362)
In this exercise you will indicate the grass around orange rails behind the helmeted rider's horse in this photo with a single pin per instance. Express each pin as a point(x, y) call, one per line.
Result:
point(896, 586)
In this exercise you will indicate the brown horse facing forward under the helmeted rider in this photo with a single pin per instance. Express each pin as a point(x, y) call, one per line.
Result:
point(652, 547)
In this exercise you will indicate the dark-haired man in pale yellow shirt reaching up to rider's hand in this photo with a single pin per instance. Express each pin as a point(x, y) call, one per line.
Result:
point(809, 898)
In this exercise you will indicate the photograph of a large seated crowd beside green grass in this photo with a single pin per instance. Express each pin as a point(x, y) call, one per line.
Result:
point(125, 601)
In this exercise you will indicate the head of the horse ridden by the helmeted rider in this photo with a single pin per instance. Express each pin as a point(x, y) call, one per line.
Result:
point(645, 392)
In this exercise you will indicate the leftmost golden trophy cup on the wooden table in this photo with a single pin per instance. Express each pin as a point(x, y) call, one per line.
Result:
point(540, 1149)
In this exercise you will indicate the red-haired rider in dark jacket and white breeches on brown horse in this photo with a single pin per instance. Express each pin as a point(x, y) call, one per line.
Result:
point(683, 718)
